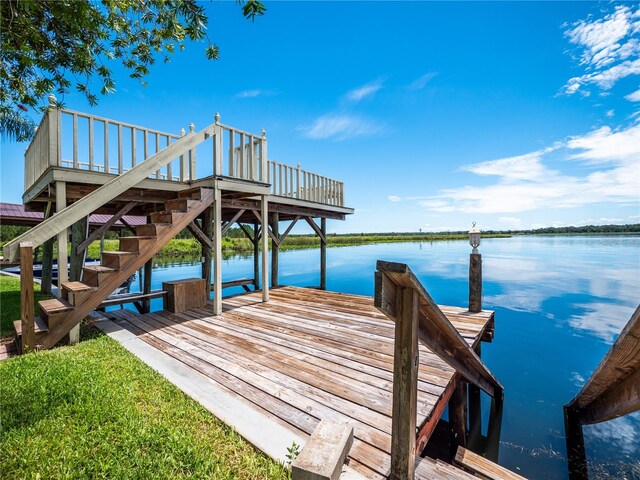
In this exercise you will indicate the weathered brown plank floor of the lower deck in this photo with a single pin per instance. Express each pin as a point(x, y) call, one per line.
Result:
point(305, 355)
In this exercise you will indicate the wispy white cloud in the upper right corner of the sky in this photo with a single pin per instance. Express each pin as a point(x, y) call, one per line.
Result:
point(610, 48)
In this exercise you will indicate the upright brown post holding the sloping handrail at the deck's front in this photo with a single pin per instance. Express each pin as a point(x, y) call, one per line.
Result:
point(405, 387)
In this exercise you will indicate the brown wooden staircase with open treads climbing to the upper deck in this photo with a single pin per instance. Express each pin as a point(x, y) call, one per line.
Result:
point(78, 299)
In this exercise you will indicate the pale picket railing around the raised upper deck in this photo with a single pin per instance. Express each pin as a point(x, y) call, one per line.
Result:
point(80, 141)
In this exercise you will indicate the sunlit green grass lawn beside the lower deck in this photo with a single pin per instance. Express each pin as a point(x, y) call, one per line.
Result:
point(95, 411)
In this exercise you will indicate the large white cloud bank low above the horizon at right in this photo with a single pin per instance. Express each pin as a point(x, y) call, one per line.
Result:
point(525, 183)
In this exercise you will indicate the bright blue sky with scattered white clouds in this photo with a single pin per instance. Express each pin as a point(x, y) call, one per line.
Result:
point(513, 115)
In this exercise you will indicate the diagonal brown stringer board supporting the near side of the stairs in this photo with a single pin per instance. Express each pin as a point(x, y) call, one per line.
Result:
point(127, 269)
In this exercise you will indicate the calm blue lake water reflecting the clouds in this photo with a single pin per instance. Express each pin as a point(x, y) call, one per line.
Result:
point(560, 302)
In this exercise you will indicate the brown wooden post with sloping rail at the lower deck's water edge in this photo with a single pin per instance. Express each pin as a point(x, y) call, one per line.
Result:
point(401, 296)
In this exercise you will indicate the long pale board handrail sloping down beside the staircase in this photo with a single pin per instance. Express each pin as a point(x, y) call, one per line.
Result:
point(107, 192)
